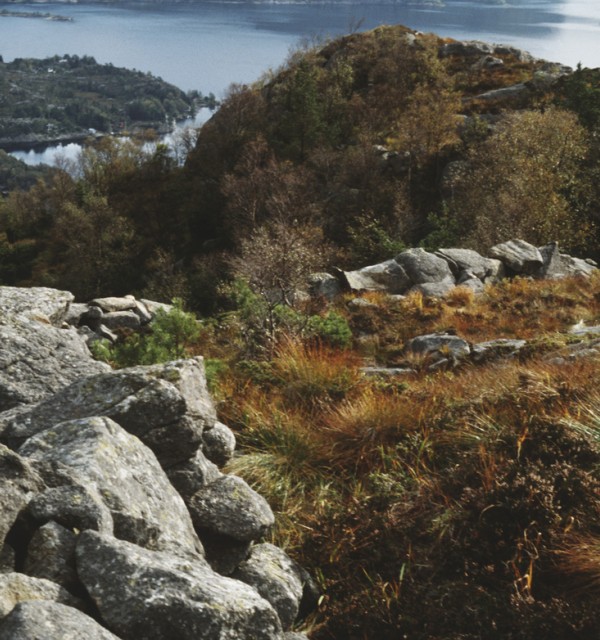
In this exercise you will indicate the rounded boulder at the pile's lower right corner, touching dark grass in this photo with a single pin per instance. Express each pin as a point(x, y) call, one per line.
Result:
point(276, 577)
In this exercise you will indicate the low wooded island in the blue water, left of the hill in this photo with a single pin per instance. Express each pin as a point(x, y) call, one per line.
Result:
point(69, 98)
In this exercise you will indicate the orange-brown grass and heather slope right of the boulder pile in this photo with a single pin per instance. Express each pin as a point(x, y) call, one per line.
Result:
point(457, 504)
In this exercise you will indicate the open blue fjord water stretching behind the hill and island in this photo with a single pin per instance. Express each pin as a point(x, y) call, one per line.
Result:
point(208, 45)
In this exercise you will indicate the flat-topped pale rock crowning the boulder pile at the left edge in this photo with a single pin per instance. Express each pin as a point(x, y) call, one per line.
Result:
point(36, 303)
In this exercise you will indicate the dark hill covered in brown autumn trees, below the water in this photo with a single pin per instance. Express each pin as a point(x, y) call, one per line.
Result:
point(369, 143)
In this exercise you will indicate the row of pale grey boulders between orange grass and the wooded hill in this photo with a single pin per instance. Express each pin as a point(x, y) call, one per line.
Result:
point(436, 274)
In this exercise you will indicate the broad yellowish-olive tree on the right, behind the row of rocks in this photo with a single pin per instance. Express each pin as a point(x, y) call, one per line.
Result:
point(525, 181)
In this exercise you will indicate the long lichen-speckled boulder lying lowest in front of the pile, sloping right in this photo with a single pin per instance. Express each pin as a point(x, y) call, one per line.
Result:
point(153, 595)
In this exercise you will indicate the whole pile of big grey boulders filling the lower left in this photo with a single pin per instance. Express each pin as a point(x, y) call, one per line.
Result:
point(116, 518)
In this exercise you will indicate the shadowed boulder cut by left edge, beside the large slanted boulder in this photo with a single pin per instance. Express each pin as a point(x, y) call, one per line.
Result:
point(18, 483)
